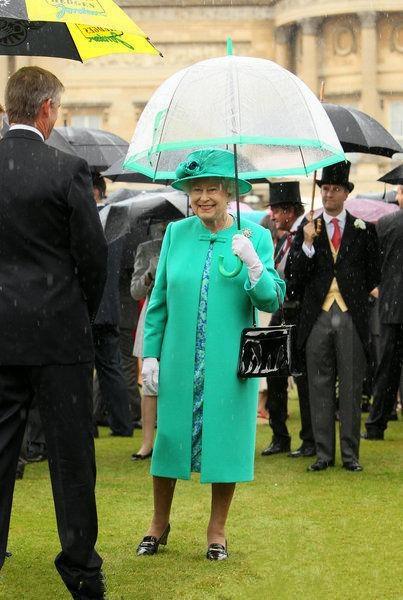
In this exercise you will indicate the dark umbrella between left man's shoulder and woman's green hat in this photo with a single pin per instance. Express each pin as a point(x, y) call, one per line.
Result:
point(133, 216)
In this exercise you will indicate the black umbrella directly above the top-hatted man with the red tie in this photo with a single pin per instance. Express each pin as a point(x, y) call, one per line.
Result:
point(358, 132)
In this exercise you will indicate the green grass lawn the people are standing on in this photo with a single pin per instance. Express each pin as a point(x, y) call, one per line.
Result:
point(293, 535)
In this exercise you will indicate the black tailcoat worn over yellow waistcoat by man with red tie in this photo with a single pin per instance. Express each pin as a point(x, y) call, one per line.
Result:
point(356, 270)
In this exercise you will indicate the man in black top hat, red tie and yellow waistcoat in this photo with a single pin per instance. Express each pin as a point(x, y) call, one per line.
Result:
point(336, 261)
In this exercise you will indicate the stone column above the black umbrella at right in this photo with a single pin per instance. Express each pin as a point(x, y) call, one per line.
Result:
point(369, 94)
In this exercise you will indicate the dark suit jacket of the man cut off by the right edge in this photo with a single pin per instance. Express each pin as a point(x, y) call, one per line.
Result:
point(390, 233)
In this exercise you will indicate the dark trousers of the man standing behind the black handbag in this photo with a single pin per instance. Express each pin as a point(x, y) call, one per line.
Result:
point(277, 395)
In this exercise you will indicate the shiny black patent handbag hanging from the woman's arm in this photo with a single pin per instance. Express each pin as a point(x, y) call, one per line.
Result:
point(267, 351)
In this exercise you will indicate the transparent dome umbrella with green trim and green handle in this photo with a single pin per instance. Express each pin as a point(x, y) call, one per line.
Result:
point(268, 117)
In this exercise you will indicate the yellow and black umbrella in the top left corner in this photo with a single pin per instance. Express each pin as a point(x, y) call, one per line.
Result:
point(76, 29)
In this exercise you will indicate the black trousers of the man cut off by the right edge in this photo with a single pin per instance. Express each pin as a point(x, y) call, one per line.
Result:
point(387, 377)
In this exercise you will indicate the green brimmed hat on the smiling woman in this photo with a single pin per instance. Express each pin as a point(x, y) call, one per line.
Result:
point(210, 162)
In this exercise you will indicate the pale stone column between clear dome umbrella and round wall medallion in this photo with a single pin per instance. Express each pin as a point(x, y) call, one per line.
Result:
point(308, 71)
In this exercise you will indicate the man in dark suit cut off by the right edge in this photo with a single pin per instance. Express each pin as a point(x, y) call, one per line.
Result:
point(387, 378)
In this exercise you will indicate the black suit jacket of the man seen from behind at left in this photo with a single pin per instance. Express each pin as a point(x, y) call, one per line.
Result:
point(52, 254)
